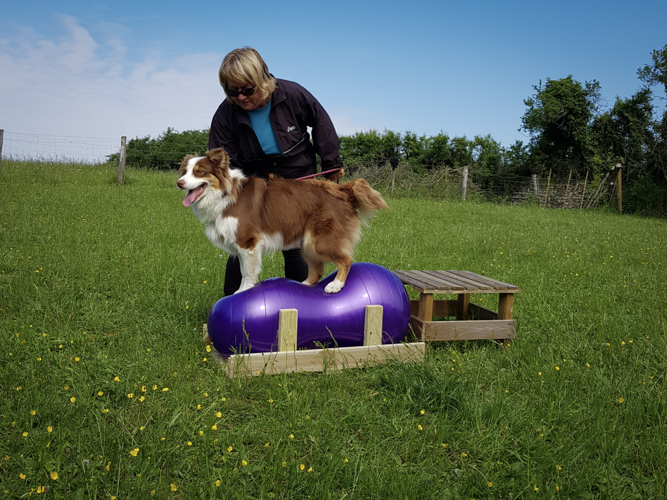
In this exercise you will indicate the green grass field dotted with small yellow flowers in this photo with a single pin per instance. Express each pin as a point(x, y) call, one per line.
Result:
point(107, 391)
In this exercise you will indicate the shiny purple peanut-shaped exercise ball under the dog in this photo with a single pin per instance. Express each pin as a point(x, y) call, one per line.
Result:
point(248, 321)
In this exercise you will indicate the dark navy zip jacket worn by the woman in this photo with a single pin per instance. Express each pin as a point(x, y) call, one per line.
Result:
point(293, 110)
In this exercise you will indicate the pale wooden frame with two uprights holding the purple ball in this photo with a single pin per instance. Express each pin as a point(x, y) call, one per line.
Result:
point(290, 360)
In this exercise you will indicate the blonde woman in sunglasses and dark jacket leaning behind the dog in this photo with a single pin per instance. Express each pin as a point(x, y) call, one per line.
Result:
point(263, 126)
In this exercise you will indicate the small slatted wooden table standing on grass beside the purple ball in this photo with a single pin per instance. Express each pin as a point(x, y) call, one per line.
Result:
point(472, 321)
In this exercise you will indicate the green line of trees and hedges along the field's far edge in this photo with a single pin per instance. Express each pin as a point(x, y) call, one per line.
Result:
point(568, 135)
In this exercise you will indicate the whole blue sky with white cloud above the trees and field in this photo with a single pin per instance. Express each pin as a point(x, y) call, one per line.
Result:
point(107, 69)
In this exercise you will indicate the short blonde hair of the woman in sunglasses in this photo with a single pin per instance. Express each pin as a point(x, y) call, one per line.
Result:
point(247, 67)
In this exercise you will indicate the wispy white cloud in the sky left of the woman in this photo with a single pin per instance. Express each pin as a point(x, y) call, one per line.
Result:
point(77, 85)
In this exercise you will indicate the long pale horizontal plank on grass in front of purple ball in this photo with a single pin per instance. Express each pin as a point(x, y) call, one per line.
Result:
point(317, 360)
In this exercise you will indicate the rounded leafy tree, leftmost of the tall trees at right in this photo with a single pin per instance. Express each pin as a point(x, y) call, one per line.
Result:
point(558, 119)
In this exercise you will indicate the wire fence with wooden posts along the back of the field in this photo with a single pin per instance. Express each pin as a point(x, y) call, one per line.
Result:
point(439, 183)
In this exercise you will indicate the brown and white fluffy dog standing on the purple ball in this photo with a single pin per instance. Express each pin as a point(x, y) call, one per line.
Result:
point(247, 216)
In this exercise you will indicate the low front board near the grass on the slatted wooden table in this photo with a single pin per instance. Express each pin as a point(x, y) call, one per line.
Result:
point(469, 330)
